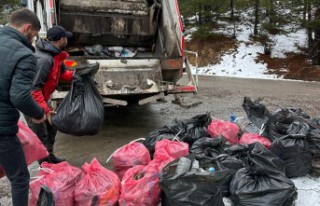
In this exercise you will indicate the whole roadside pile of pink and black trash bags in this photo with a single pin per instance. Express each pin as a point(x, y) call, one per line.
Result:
point(199, 161)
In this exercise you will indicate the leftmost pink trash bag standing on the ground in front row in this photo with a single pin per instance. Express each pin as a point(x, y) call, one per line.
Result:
point(60, 178)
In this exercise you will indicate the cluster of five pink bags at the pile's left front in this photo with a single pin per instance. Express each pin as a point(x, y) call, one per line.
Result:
point(132, 183)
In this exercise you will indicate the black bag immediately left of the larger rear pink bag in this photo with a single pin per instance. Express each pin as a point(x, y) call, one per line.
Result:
point(196, 128)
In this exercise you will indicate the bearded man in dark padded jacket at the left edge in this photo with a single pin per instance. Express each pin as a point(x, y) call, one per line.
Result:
point(17, 70)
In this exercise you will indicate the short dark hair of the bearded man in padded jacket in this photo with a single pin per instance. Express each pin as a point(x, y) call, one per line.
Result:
point(25, 16)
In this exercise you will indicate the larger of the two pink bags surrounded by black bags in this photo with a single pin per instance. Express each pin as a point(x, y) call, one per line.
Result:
point(226, 129)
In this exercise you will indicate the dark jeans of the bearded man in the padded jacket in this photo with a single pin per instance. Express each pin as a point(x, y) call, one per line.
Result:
point(13, 161)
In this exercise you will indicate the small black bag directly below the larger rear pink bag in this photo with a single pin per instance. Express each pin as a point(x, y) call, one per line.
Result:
point(208, 147)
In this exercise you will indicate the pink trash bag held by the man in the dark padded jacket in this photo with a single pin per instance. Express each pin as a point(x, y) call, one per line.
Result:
point(32, 147)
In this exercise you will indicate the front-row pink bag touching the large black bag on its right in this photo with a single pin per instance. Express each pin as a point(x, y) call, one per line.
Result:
point(140, 186)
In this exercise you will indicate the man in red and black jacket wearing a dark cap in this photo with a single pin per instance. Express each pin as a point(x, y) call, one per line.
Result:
point(50, 70)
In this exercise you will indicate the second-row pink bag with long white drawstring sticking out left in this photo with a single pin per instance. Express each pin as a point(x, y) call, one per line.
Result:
point(129, 156)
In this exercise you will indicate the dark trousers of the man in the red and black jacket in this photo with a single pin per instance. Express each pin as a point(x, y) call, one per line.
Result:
point(45, 132)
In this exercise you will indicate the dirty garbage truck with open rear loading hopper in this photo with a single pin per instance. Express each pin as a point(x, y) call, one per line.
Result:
point(139, 45)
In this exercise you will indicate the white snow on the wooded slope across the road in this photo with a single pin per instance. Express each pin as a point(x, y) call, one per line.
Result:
point(241, 62)
